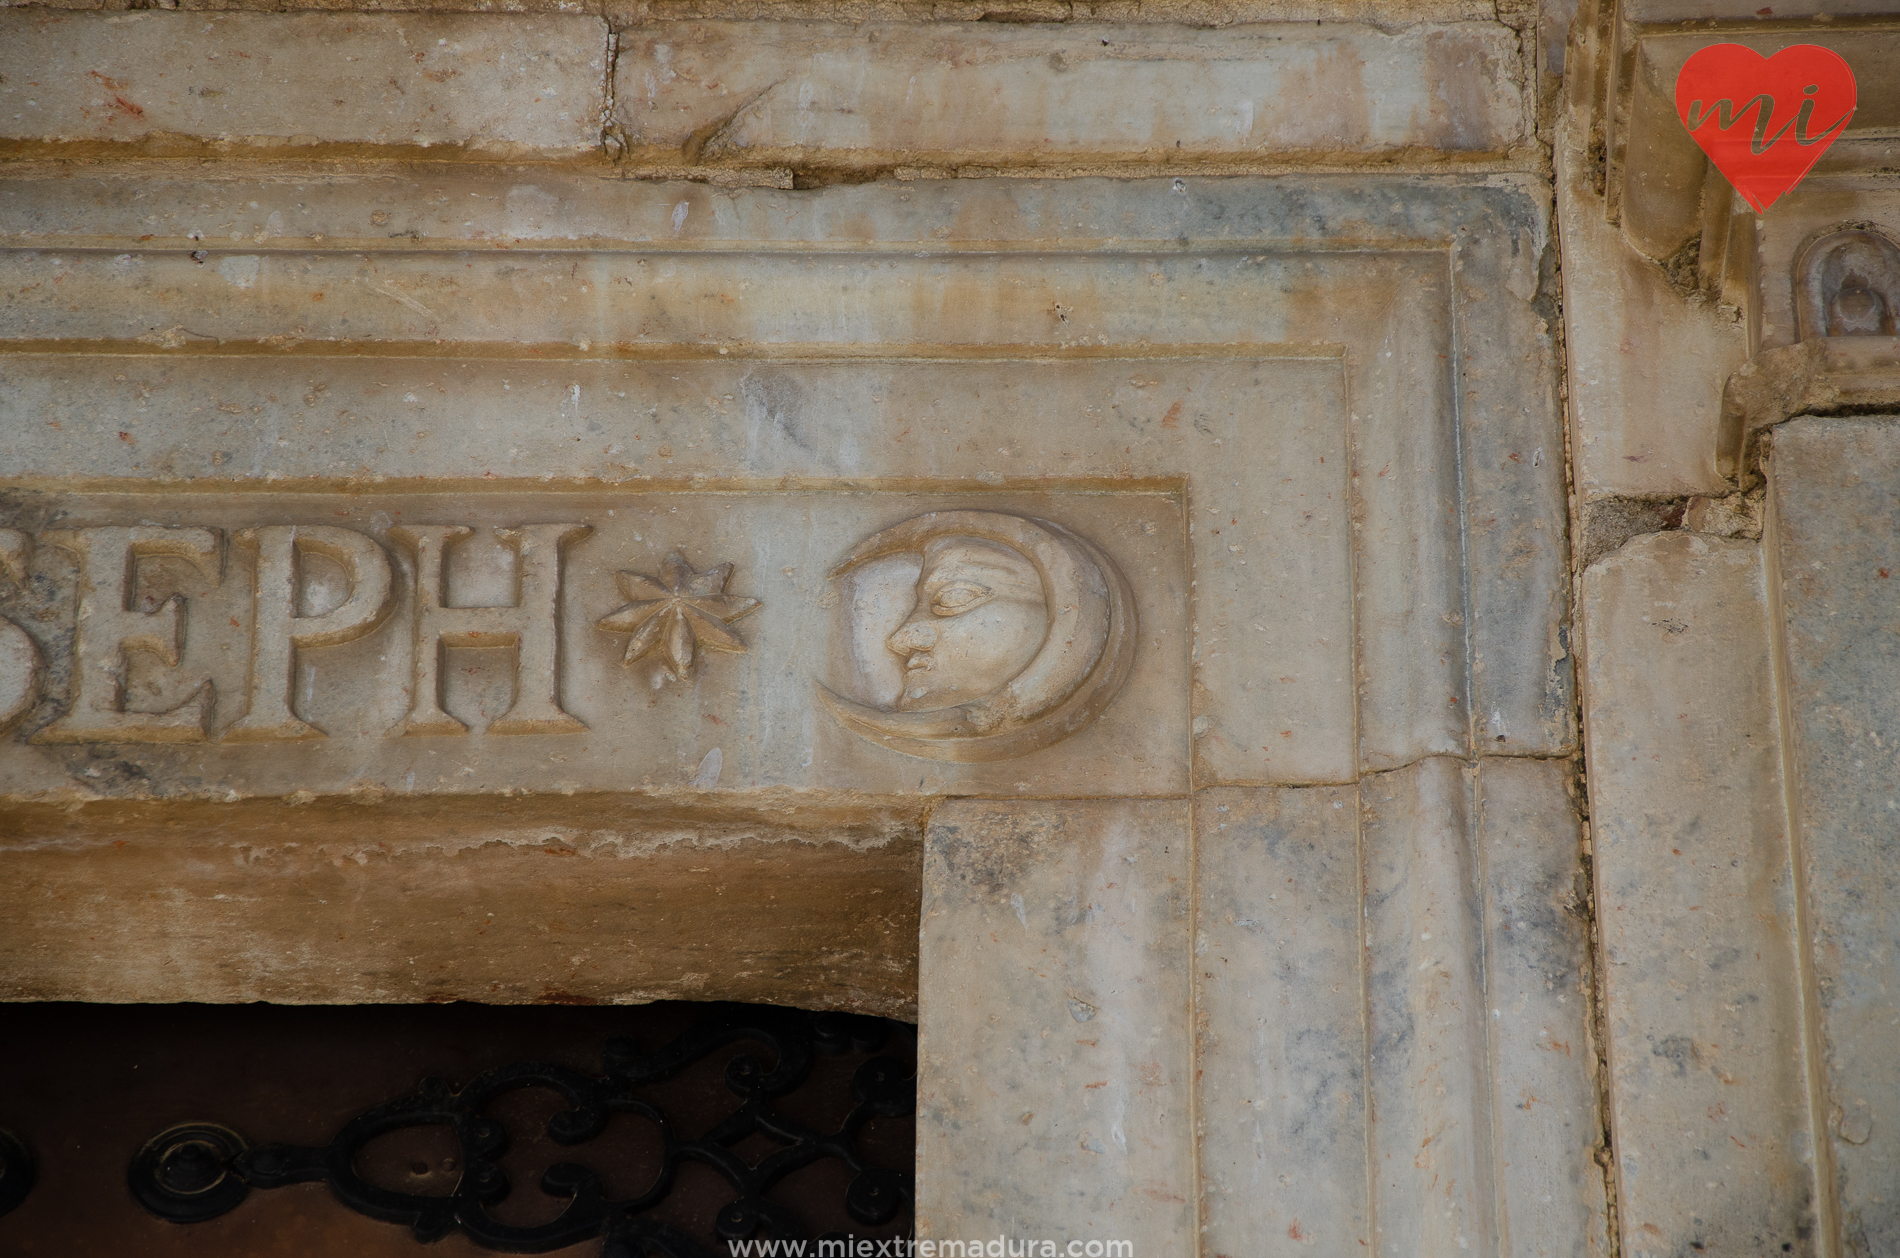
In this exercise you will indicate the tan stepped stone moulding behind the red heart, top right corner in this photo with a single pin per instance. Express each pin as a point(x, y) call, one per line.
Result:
point(1658, 187)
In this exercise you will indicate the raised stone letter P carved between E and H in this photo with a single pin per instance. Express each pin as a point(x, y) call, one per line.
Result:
point(276, 628)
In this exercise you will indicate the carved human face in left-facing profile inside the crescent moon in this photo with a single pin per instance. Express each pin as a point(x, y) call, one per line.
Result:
point(979, 620)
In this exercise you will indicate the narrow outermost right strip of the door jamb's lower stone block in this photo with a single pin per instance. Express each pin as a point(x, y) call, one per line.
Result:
point(1538, 993)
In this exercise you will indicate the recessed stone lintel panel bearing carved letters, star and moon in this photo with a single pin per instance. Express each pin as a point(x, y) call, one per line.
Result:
point(493, 643)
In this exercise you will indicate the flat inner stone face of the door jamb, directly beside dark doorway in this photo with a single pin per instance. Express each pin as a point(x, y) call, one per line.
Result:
point(1054, 1023)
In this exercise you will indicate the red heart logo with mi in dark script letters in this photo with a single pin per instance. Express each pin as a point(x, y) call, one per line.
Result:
point(1764, 121)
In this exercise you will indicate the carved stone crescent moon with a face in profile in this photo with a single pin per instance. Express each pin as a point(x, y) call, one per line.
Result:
point(1019, 634)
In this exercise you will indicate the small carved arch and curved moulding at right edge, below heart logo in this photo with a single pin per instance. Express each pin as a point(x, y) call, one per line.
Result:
point(1846, 301)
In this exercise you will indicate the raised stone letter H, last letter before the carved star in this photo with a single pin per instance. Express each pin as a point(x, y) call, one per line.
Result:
point(531, 626)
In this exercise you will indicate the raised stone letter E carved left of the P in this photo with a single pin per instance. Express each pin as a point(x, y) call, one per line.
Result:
point(109, 630)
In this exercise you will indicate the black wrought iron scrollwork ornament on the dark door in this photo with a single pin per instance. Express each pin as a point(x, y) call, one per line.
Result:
point(199, 1172)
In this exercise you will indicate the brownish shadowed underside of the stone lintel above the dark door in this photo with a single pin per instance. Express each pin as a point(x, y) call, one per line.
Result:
point(588, 900)
